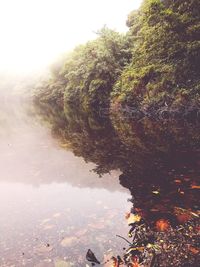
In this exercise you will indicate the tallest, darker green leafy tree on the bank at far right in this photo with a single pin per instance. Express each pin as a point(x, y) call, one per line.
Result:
point(165, 67)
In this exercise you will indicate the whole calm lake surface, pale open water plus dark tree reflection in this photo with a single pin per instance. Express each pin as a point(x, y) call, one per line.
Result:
point(67, 182)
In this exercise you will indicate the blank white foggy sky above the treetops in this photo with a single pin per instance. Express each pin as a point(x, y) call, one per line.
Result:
point(34, 32)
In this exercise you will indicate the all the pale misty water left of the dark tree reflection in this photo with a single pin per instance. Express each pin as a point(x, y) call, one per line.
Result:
point(52, 206)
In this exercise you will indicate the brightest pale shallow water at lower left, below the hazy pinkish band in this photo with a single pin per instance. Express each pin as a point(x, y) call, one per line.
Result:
point(44, 225)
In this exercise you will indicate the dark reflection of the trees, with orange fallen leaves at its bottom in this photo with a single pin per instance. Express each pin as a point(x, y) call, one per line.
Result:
point(159, 164)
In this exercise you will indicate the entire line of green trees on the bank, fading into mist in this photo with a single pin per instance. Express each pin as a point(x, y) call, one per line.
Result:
point(156, 64)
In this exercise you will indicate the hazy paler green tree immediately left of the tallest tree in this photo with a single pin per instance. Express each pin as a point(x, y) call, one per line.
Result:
point(93, 68)
